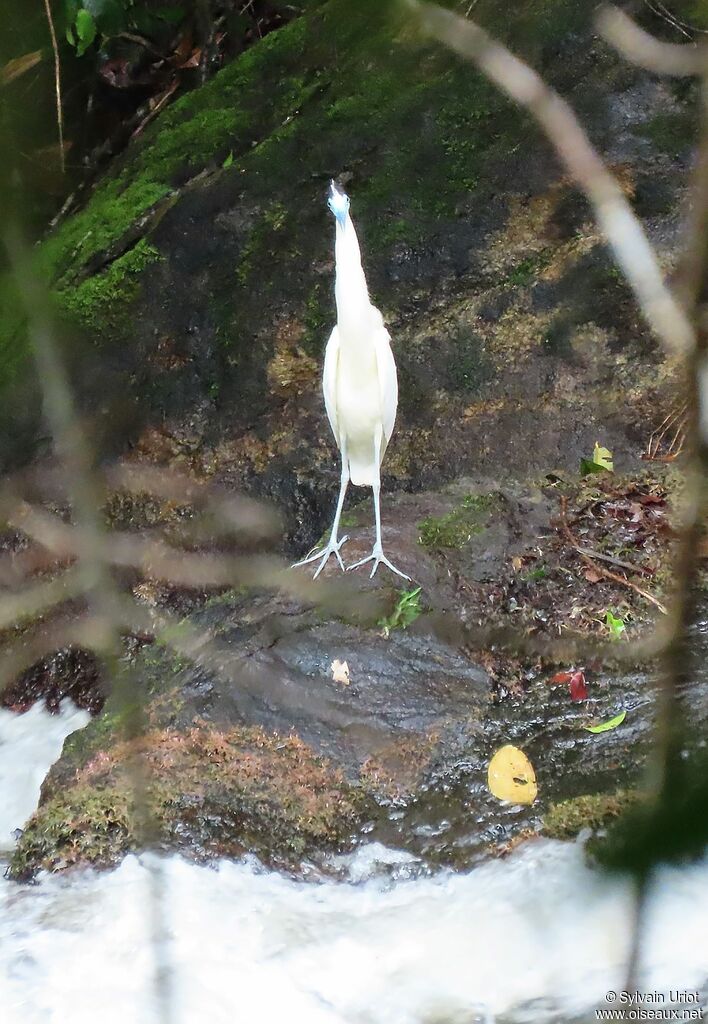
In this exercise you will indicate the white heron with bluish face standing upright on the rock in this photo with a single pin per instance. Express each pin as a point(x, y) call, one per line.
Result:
point(360, 386)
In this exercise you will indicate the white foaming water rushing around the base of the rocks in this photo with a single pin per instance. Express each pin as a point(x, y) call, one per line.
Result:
point(536, 937)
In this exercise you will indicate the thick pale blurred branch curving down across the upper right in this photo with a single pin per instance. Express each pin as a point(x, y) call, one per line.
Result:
point(614, 215)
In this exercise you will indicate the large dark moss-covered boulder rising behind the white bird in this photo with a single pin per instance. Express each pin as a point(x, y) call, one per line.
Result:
point(200, 270)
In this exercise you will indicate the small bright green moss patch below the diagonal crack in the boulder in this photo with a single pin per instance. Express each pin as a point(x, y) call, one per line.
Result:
point(100, 301)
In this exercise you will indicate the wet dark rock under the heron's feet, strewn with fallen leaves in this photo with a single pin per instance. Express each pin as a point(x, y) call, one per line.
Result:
point(397, 748)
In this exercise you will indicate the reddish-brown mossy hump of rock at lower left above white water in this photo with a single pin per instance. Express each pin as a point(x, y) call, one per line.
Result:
point(211, 793)
